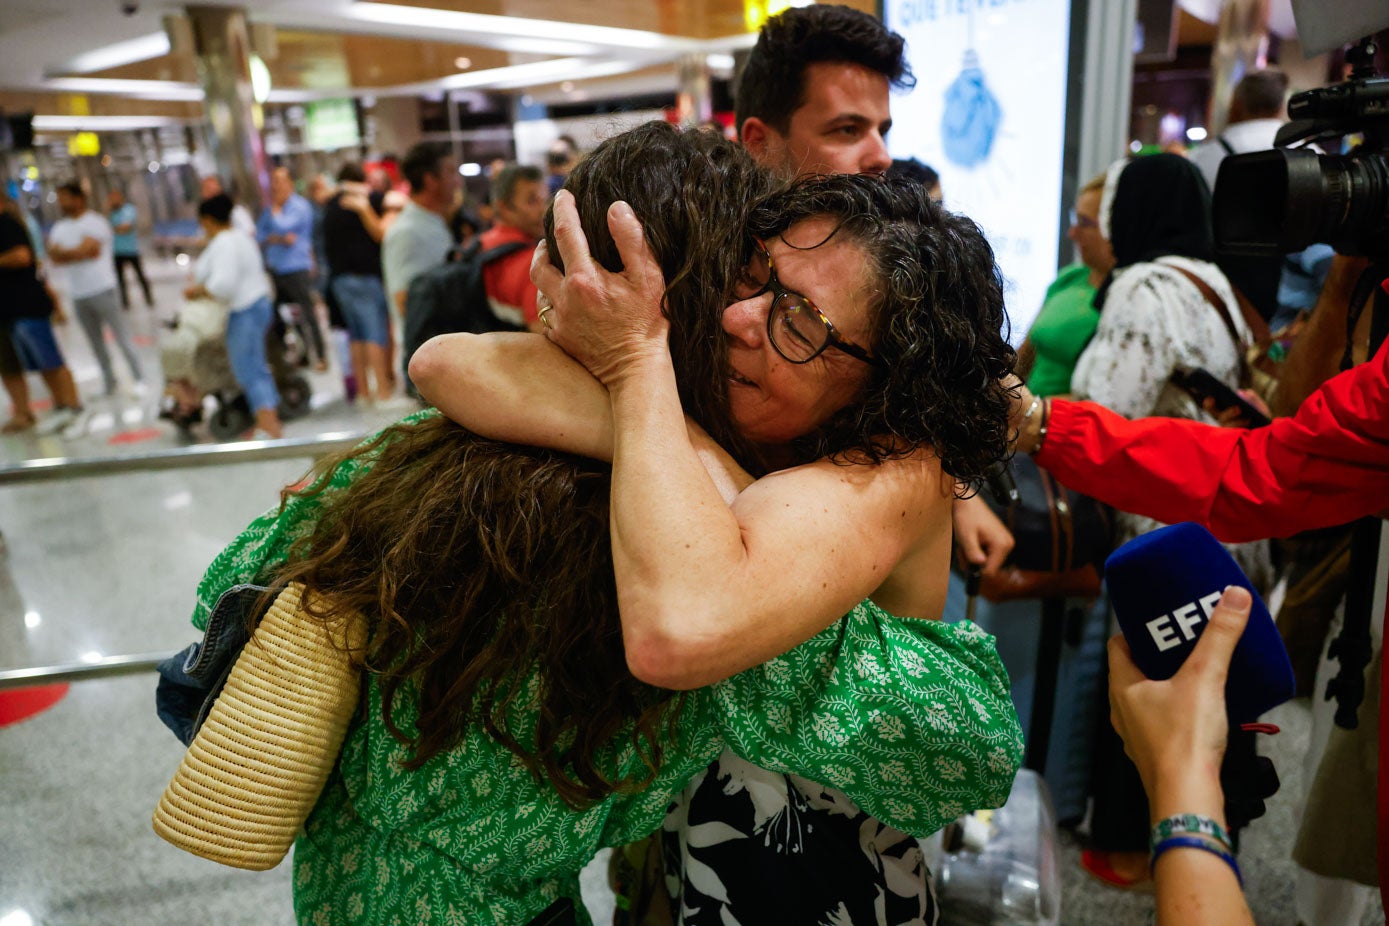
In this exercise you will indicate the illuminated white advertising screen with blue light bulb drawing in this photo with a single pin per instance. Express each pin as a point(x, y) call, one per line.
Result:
point(990, 116)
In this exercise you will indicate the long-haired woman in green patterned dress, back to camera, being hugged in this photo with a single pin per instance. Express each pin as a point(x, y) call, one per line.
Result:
point(504, 738)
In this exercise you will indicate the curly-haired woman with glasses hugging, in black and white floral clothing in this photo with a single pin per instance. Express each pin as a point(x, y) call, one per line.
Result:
point(860, 344)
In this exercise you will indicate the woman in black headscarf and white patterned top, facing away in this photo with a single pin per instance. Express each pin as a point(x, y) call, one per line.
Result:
point(1155, 320)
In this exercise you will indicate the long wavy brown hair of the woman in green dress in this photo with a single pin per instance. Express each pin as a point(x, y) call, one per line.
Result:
point(483, 566)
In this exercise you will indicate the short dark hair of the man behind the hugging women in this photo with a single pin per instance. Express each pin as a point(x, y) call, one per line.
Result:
point(772, 85)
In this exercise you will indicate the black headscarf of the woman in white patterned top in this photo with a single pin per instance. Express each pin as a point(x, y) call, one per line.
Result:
point(1161, 208)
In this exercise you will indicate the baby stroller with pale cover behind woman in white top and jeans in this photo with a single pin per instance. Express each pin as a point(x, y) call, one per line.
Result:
point(197, 351)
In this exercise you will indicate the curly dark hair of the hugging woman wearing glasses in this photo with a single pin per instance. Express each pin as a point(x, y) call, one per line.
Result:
point(938, 326)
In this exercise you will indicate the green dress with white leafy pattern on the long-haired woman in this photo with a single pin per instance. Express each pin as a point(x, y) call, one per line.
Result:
point(910, 718)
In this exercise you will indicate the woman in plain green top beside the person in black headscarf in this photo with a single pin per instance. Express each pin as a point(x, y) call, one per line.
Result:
point(1069, 317)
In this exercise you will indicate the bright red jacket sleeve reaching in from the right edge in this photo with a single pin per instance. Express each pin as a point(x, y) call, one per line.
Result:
point(1326, 466)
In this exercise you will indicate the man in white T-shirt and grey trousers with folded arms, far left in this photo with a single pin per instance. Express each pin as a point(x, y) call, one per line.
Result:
point(80, 245)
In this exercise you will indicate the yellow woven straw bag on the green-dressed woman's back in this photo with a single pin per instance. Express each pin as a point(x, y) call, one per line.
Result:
point(259, 763)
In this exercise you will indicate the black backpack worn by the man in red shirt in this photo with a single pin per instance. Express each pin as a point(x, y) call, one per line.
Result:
point(454, 298)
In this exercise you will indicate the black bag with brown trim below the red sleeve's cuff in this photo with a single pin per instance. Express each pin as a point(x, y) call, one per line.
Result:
point(1061, 539)
